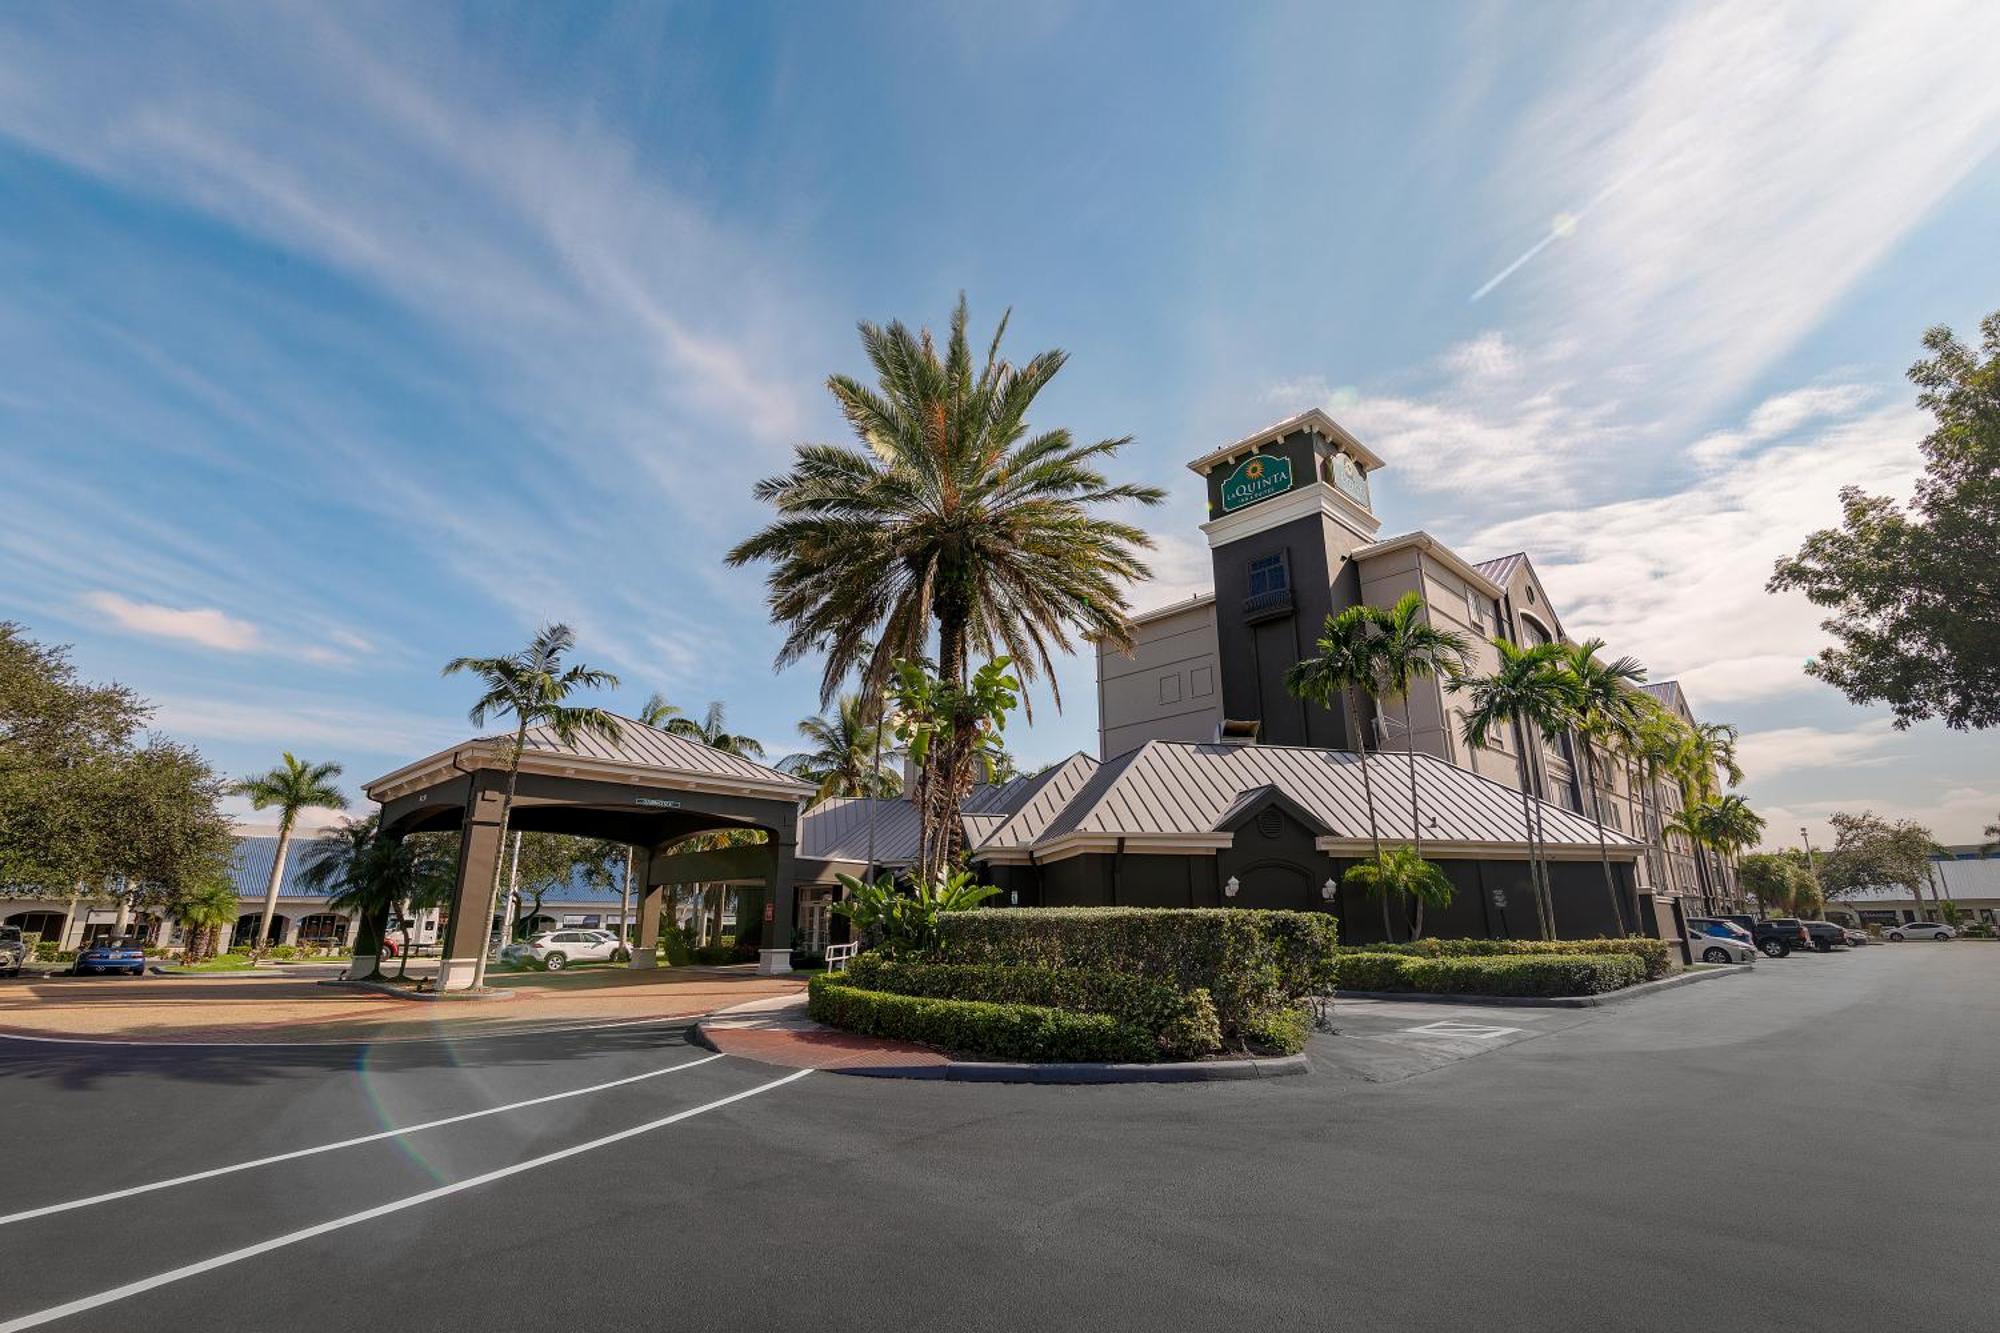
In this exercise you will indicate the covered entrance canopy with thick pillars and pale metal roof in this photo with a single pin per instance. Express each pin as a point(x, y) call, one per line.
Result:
point(647, 790)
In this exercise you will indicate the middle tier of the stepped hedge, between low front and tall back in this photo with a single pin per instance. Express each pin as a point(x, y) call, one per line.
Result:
point(1183, 1024)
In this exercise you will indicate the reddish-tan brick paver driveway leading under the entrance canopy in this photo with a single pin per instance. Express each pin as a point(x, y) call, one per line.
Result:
point(255, 1010)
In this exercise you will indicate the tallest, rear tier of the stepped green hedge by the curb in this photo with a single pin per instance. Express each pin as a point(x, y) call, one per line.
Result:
point(1251, 962)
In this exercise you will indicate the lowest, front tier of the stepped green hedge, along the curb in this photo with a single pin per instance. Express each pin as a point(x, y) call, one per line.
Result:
point(979, 1028)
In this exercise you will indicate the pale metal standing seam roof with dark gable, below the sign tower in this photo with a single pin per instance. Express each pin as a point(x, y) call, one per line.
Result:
point(1169, 788)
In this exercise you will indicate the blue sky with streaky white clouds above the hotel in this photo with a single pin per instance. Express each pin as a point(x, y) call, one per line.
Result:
point(345, 339)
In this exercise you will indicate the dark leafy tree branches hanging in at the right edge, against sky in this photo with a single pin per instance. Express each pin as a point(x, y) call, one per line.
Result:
point(1915, 595)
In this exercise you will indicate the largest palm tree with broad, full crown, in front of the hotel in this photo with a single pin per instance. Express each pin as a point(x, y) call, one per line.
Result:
point(951, 519)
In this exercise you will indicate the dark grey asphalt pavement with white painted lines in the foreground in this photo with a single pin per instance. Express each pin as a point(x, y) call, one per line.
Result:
point(1751, 1152)
